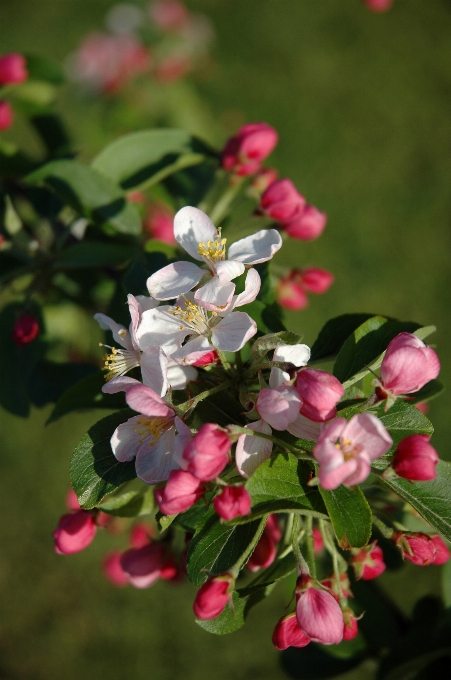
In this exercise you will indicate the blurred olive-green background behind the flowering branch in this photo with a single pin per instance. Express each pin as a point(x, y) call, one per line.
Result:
point(362, 103)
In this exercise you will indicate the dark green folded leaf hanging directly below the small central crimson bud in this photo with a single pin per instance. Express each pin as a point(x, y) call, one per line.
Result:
point(216, 547)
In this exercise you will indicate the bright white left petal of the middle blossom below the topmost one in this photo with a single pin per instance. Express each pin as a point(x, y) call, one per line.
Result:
point(160, 328)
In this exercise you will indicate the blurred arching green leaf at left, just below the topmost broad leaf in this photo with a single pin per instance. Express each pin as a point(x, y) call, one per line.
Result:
point(89, 193)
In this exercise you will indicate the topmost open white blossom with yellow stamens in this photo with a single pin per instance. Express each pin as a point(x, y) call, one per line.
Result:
point(197, 234)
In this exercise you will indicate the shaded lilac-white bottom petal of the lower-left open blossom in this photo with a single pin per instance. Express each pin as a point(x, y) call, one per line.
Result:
point(154, 461)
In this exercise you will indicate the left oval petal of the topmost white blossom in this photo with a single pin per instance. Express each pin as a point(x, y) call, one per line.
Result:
point(174, 280)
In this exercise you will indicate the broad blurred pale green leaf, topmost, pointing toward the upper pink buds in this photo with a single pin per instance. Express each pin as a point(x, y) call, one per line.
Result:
point(146, 157)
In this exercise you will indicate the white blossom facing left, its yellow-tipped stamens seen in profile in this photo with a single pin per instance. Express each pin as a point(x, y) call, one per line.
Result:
point(157, 370)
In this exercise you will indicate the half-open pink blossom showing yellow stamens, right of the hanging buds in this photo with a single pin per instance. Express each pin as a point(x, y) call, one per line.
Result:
point(345, 449)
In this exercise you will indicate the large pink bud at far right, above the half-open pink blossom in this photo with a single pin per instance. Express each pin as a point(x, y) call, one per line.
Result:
point(408, 365)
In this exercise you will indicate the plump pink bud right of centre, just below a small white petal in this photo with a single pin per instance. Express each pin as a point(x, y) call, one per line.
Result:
point(320, 392)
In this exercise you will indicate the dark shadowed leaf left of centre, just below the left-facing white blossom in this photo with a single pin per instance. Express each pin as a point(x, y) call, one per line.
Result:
point(86, 394)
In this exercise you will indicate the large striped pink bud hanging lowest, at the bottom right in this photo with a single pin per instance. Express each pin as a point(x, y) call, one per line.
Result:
point(319, 614)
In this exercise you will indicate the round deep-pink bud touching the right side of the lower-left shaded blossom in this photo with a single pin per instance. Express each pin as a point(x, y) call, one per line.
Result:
point(207, 453)
